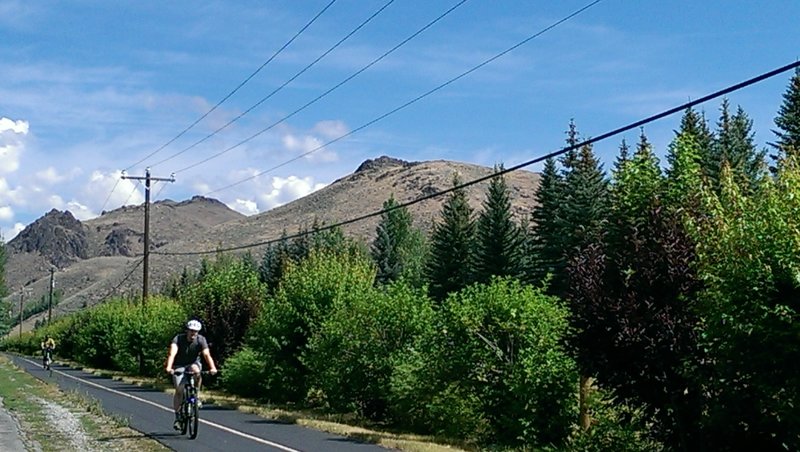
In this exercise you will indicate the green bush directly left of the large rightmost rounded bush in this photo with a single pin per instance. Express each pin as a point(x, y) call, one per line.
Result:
point(352, 356)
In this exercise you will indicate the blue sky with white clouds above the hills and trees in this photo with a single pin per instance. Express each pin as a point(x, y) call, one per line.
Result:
point(90, 87)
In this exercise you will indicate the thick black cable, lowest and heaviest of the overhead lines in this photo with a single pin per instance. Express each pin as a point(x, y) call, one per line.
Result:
point(553, 154)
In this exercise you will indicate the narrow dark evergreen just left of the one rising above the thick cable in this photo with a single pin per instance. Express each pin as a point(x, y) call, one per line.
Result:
point(545, 256)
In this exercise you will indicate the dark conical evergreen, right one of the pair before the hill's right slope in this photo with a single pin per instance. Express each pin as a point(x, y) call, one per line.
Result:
point(499, 239)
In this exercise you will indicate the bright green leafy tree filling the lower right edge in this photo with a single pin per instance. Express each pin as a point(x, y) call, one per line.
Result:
point(749, 252)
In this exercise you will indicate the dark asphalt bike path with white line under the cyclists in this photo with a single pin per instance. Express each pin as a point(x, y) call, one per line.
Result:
point(150, 412)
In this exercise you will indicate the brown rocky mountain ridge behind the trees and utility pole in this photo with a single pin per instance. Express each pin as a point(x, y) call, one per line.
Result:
point(115, 239)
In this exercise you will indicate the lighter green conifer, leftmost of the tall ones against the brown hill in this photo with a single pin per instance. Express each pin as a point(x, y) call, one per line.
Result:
point(398, 246)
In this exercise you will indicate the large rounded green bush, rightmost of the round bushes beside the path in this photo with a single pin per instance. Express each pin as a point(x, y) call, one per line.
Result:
point(492, 369)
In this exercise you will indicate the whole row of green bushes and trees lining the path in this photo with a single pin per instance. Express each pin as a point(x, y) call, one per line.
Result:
point(654, 307)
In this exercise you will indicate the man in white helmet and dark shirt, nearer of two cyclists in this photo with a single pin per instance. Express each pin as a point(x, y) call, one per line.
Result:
point(184, 355)
